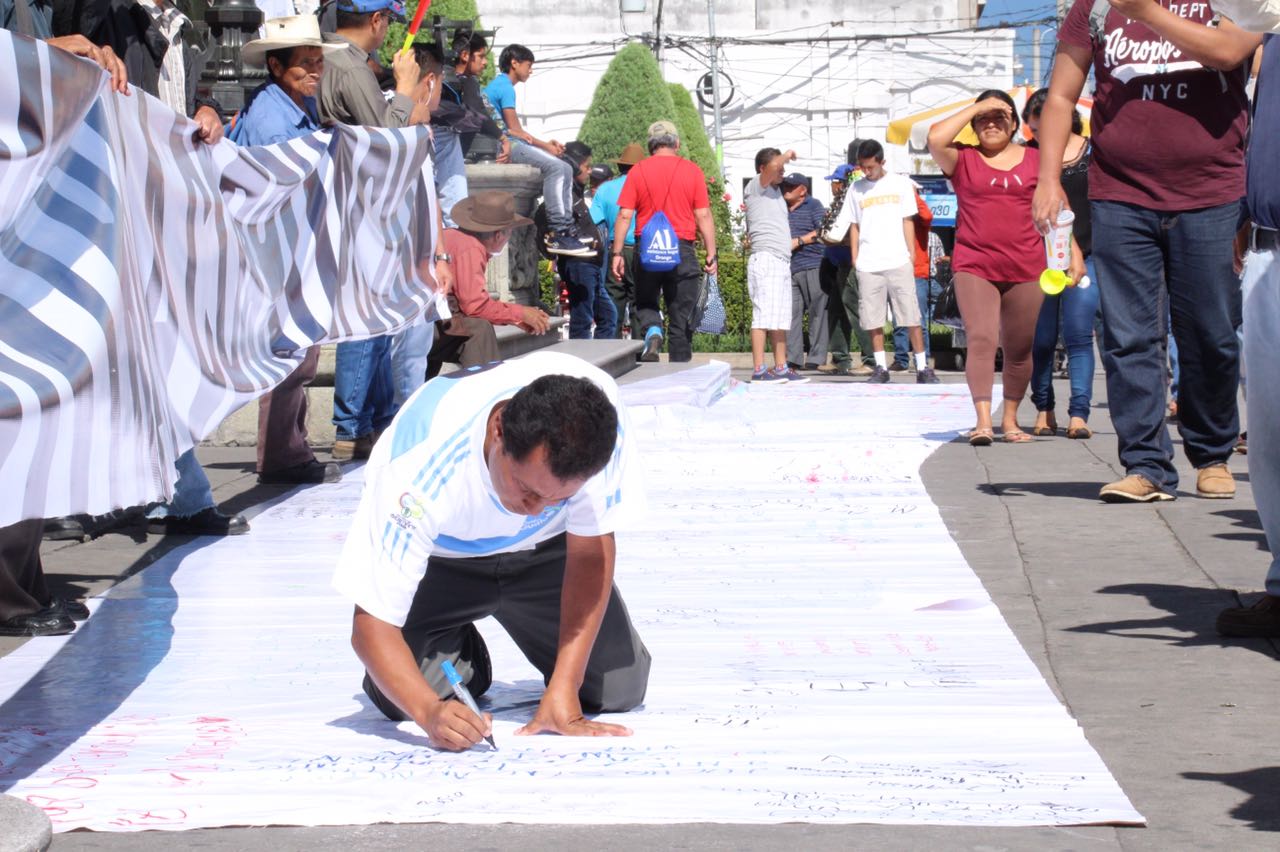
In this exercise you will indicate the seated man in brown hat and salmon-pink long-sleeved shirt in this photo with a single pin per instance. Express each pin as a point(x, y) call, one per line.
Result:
point(486, 222)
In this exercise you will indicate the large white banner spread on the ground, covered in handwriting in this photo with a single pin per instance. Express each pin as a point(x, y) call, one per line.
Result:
point(821, 654)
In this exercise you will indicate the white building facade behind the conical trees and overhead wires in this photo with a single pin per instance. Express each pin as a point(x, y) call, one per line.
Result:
point(810, 76)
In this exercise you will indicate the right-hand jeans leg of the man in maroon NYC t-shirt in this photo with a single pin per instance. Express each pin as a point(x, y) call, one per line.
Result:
point(1205, 308)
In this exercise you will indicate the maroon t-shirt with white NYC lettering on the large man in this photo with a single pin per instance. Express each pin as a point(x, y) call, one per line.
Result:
point(1168, 132)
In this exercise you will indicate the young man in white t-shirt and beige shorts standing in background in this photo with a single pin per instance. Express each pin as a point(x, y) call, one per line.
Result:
point(883, 241)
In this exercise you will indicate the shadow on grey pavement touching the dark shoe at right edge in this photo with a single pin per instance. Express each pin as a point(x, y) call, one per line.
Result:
point(1190, 611)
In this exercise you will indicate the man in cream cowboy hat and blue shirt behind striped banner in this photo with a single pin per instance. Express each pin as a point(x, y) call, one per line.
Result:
point(282, 109)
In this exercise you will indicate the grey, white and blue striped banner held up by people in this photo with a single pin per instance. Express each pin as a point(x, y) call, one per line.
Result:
point(150, 285)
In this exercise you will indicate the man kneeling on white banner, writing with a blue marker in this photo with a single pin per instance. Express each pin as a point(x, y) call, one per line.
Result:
point(497, 492)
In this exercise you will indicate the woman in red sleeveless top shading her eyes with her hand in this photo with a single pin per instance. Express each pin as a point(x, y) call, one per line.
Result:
point(999, 254)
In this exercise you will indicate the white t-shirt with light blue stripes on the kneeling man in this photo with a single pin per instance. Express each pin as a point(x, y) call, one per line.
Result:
point(428, 489)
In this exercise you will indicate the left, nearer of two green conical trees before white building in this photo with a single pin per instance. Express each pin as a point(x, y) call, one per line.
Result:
point(630, 97)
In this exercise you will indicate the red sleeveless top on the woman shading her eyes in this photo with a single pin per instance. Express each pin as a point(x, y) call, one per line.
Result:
point(996, 239)
